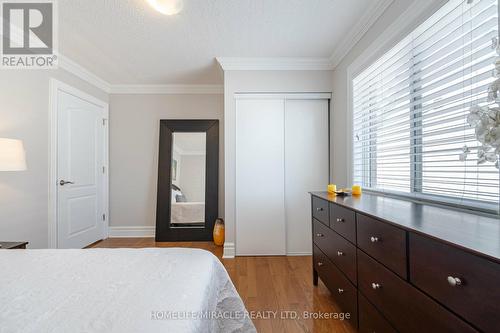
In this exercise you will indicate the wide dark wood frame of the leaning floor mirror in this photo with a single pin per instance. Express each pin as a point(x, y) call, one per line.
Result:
point(164, 231)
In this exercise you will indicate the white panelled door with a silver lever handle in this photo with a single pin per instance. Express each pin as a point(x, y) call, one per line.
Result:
point(81, 179)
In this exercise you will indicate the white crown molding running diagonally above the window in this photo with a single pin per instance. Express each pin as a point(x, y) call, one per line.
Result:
point(371, 15)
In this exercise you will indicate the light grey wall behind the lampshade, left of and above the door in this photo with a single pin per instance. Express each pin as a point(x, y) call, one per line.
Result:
point(24, 114)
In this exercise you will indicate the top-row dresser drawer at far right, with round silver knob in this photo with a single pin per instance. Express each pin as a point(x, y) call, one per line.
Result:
point(434, 268)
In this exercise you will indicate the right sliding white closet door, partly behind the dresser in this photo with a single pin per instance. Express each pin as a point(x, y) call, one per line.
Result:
point(306, 167)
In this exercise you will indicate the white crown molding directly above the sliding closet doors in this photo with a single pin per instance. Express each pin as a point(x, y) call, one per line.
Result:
point(274, 64)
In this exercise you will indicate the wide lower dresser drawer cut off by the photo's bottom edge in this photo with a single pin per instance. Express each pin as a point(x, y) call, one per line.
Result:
point(407, 308)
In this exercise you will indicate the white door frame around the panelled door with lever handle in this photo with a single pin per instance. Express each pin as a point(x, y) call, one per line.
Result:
point(57, 86)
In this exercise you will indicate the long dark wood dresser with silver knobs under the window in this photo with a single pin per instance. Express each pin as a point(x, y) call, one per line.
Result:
point(400, 266)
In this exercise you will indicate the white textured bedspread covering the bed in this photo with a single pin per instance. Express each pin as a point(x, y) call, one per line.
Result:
point(117, 290)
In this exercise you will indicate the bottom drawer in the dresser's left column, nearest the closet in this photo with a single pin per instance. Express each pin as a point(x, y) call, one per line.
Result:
point(344, 293)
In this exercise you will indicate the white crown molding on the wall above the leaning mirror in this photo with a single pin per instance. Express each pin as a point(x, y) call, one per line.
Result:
point(163, 89)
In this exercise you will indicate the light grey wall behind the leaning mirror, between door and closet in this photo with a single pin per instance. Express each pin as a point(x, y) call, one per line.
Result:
point(134, 136)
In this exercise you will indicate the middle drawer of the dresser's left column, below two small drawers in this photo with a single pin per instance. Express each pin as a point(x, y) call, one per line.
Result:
point(338, 250)
